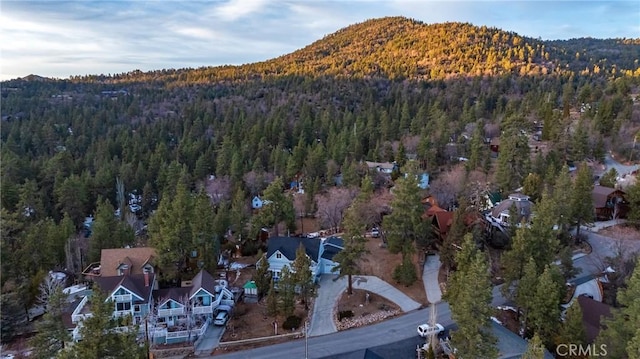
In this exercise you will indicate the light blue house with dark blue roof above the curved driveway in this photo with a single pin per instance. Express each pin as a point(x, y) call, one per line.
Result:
point(281, 252)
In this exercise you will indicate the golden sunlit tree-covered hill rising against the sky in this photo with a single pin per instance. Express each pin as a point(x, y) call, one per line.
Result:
point(397, 47)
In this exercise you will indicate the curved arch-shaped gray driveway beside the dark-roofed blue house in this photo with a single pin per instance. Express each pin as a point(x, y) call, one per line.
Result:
point(330, 290)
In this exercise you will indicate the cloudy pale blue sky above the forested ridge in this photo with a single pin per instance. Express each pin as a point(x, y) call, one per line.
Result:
point(63, 38)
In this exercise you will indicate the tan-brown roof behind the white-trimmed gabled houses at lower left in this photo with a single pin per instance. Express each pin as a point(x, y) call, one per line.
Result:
point(122, 261)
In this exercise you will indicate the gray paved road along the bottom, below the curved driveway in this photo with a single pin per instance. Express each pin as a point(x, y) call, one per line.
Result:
point(389, 331)
